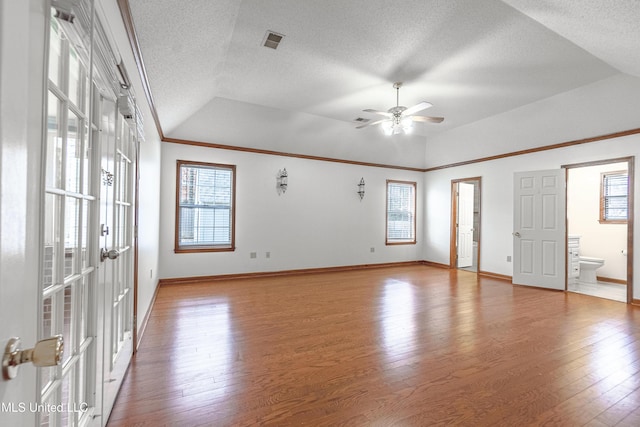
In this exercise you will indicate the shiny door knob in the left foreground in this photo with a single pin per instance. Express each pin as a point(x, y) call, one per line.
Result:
point(46, 352)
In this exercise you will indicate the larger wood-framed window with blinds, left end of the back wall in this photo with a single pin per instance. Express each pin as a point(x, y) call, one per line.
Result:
point(205, 207)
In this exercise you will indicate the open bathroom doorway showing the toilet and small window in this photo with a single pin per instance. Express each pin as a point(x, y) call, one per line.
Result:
point(600, 228)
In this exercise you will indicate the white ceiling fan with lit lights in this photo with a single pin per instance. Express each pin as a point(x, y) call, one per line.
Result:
point(400, 119)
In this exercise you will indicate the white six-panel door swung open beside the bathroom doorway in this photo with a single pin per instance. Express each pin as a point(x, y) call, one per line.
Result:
point(539, 229)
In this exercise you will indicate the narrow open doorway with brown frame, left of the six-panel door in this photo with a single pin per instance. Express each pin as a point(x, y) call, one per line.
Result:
point(465, 224)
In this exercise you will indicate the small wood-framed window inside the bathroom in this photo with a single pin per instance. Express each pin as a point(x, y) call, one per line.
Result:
point(613, 197)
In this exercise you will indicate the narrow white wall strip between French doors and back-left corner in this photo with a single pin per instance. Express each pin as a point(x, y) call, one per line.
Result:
point(149, 184)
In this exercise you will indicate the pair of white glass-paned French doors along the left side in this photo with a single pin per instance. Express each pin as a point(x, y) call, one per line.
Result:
point(87, 289)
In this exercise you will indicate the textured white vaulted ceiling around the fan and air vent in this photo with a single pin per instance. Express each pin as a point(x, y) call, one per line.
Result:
point(471, 59)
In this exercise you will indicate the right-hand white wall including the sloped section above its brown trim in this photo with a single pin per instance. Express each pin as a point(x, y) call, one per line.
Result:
point(608, 106)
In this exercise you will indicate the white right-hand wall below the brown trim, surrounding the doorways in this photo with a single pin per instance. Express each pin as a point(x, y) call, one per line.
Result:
point(497, 199)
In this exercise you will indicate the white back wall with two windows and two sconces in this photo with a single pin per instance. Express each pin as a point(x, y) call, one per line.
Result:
point(319, 222)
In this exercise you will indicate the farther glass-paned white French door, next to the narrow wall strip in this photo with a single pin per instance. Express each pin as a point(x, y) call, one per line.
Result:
point(116, 265)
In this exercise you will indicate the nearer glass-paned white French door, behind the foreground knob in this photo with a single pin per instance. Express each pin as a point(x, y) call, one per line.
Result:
point(69, 252)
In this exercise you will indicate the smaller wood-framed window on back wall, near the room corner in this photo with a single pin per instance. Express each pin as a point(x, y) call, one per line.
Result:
point(401, 212)
